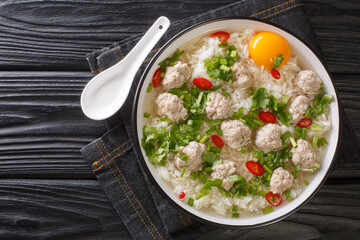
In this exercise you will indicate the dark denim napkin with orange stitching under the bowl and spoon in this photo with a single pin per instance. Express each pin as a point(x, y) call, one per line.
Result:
point(146, 214)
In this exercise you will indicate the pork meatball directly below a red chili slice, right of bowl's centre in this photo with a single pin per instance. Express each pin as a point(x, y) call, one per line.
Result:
point(268, 138)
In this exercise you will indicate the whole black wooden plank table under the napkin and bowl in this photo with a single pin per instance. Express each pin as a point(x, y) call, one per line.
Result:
point(47, 191)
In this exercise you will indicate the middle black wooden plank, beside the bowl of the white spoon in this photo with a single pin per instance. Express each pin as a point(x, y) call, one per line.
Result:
point(42, 127)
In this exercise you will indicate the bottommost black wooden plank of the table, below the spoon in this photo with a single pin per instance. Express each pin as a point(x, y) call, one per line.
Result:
point(79, 209)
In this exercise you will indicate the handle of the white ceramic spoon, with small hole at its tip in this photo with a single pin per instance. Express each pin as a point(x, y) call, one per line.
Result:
point(138, 54)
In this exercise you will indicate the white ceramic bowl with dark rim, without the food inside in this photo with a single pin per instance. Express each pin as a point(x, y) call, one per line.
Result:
point(307, 59)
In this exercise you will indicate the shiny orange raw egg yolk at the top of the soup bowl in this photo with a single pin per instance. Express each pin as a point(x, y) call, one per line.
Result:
point(265, 46)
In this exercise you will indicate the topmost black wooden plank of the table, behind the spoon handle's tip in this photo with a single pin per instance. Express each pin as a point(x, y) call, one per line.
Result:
point(61, 42)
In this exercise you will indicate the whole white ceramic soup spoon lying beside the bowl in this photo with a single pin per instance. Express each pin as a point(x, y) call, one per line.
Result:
point(105, 94)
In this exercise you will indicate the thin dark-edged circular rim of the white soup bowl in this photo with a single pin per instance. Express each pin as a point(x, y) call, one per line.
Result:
point(143, 160)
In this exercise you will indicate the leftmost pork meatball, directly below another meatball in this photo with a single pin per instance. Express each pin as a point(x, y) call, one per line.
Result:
point(171, 106)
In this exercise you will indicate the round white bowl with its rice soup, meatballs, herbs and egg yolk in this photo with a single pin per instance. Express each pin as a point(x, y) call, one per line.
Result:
point(237, 122)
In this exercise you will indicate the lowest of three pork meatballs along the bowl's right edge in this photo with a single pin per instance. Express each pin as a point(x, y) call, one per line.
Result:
point(304, 155)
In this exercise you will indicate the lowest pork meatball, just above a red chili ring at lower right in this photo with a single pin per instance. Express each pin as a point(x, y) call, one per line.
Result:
point(281, 180)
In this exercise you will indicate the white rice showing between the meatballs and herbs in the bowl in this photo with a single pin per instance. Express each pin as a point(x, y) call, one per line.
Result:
point(195, 54)
